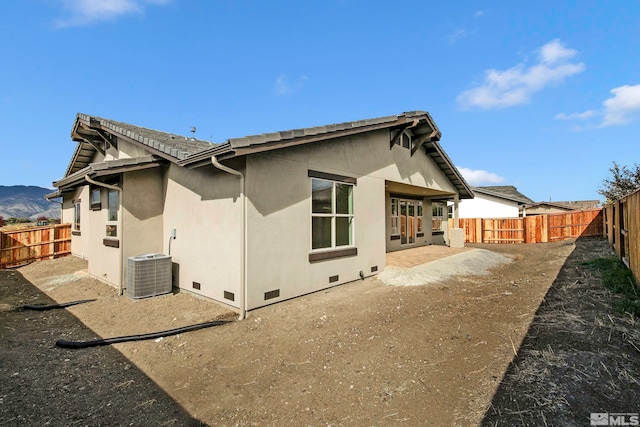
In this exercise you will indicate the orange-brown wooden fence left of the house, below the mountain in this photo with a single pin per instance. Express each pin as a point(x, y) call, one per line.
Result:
point(19, 247)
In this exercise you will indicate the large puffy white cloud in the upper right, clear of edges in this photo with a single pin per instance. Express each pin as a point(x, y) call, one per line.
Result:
point(517, 84)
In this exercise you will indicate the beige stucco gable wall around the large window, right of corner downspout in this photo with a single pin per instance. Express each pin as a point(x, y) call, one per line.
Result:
point(279, 220)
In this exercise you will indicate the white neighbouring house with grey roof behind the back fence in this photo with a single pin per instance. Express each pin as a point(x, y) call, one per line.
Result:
point(504, 201)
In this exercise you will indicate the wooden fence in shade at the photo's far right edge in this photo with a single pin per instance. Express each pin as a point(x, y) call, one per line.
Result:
point(622, 229)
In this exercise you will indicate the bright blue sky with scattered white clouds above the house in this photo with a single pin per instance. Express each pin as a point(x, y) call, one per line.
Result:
point(540, 95)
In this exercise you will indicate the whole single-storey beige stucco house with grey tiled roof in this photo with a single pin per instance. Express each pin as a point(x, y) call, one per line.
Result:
point(258, 219)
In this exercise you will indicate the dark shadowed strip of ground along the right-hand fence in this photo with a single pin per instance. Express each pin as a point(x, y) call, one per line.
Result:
point(578, 357)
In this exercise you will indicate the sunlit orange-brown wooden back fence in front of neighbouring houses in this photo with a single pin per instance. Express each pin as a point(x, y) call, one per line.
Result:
point(532, 229)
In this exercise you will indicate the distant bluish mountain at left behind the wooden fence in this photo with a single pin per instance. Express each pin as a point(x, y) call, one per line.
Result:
point(22, 201)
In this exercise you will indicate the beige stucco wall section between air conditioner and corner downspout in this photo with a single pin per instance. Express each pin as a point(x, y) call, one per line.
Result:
point(204, 207)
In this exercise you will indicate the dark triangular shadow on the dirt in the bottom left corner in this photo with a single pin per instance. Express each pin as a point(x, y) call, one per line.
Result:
point(46, 385)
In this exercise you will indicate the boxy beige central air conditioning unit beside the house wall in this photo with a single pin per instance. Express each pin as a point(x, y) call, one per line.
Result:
point(148, 275)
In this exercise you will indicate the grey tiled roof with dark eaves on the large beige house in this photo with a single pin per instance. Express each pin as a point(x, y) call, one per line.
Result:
point(95, 134)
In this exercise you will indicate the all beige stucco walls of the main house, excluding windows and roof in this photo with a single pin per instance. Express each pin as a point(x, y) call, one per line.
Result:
point(204, 207)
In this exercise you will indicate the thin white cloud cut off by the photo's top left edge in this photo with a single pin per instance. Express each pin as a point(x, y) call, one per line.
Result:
point(85, 12)
